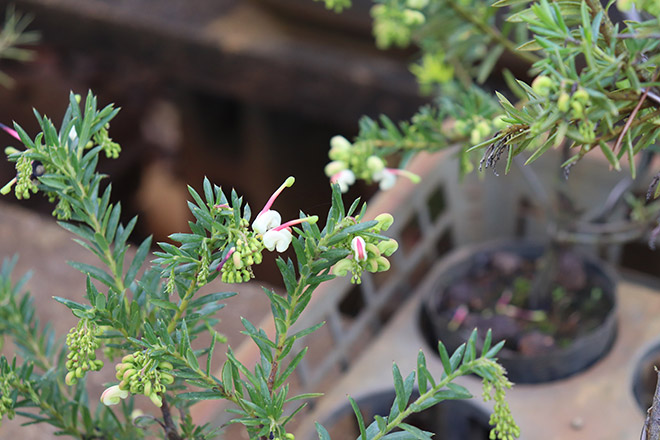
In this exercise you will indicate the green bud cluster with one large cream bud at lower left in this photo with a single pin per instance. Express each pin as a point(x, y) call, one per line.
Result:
point(139, 374)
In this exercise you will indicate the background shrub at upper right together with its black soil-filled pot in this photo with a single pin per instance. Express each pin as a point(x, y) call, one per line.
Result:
point(587, 88)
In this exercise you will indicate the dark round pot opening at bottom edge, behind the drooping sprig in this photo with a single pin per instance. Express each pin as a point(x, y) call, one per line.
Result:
point(449, 420)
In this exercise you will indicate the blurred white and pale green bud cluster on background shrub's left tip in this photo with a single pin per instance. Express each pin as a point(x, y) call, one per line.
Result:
point(358, 161)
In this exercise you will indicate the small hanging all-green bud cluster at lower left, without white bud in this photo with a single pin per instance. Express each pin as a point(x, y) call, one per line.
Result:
point(82, 342)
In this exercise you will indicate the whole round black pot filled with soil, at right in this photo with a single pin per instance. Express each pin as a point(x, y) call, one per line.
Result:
point(488, 287)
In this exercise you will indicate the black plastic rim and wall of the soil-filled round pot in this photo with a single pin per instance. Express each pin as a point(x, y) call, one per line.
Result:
point(556, 364)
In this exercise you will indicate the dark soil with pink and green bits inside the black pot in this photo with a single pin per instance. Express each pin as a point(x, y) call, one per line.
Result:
point(495, 293)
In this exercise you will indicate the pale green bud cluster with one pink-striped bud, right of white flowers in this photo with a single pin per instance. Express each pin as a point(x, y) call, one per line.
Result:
point(368, 253)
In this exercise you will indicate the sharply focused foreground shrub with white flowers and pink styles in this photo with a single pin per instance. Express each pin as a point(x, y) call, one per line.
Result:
point(145, 324)
